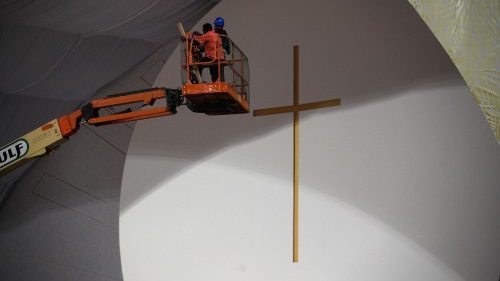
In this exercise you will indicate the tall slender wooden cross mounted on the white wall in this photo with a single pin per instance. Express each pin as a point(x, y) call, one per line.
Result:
point(296, 108)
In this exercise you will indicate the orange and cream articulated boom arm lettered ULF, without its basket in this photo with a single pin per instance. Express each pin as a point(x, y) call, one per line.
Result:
point(49, 136)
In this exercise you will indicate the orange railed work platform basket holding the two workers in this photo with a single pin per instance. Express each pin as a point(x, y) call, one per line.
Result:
point(228, 92)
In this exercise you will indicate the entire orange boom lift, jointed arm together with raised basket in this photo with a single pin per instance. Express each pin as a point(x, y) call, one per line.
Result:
point(230, 96)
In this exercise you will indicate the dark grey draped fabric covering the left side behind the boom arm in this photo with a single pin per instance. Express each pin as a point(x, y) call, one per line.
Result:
point(60, 221)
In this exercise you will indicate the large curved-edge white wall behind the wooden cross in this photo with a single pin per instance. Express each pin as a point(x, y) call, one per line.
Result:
point(399, 183)
